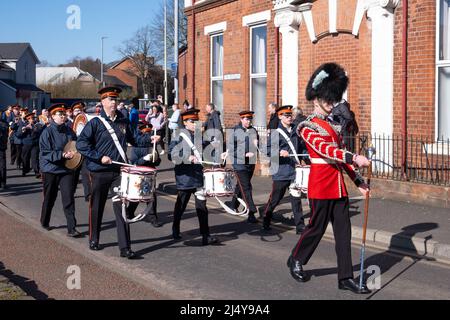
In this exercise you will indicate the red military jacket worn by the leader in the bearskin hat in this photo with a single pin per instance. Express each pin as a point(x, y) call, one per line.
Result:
point(328, 159)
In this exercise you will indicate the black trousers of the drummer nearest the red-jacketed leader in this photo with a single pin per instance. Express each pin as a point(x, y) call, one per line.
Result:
point(279, 188)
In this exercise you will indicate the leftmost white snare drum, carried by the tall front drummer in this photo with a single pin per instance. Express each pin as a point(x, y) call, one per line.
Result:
point(137, 184)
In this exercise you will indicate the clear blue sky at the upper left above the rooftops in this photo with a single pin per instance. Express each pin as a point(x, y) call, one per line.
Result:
point(43, 24)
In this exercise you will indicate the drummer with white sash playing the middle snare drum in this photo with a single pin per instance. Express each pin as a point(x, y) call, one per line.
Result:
point(189, 177)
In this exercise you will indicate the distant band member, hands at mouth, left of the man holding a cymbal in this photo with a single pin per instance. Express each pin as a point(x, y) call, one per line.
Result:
point(29, 132)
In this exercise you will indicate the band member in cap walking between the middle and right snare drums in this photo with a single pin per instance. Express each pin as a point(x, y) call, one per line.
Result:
point(244, 161)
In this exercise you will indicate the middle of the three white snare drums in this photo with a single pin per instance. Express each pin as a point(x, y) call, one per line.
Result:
point(218, 182)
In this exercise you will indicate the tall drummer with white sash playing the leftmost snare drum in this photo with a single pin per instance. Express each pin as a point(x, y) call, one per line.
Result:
point(101, 147)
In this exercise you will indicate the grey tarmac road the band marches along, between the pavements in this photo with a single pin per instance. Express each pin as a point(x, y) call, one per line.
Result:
point(247, 264)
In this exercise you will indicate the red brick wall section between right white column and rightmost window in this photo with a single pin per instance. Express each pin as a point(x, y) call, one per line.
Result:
point(421, 68)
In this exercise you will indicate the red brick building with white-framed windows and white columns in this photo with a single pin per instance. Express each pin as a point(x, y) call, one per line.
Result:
point(247, 53)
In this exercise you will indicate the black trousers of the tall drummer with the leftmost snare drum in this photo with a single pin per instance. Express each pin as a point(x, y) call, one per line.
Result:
point(101, 183)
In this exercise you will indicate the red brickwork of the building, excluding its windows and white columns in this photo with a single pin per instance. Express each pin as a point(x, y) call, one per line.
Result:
point(354, 54)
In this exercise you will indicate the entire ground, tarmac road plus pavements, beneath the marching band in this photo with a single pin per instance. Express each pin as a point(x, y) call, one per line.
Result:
point(247, 265)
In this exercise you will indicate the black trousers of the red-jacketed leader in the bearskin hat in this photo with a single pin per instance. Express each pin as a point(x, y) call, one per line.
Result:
point(323, 211)
